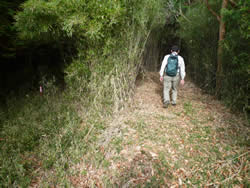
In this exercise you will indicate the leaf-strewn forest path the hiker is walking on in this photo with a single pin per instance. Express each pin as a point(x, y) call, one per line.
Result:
point(196, 143)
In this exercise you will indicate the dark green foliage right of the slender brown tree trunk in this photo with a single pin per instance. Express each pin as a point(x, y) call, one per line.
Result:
point(236, 57)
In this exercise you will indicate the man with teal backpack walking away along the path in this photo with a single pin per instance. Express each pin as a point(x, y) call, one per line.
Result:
point(172, 71)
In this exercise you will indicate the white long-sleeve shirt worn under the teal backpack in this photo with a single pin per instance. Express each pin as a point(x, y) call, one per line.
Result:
point(181, 66)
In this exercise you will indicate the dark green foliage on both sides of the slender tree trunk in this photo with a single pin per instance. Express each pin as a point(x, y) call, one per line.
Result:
point(200, 33)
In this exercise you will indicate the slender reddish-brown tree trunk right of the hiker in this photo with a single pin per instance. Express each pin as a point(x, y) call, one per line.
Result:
point(222, 33)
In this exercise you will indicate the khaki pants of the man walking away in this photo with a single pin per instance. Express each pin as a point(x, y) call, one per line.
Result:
point(168, 84)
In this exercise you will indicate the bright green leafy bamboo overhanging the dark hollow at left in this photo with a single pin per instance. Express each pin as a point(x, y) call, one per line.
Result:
point(103, 32)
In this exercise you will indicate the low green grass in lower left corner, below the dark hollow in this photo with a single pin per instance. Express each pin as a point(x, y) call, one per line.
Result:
point(41, 138)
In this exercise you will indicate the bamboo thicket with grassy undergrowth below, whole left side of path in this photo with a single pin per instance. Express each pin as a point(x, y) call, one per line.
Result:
point(42, 137)
